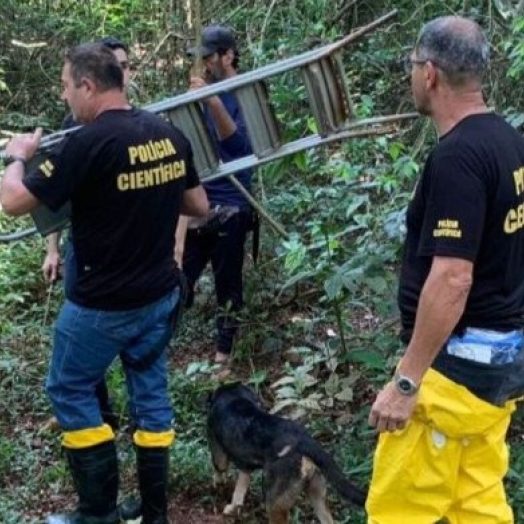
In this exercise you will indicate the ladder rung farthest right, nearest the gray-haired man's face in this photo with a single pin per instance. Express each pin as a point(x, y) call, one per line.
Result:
point(328, 93)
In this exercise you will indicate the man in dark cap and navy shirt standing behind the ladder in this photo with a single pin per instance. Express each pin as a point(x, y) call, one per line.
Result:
point(221, 238)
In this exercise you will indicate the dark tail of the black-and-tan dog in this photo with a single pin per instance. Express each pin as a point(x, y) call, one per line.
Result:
point(308, 447)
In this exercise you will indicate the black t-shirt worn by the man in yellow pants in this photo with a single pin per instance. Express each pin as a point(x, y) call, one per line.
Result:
point(469, 204)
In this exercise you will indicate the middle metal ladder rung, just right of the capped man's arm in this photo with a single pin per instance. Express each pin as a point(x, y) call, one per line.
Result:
point(259, 118)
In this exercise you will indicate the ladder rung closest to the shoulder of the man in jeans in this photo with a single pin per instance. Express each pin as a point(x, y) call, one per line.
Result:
point(190, 119)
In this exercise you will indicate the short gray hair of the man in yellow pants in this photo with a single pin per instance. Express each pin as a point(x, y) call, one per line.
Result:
point(455, 45)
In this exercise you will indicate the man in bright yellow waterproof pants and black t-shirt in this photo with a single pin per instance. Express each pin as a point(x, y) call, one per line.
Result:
point(443, 418)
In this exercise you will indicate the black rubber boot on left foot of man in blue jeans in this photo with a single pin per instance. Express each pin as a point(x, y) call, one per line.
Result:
point(95, 476)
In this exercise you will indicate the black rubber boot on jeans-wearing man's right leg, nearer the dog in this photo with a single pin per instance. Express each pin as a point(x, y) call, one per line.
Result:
point(153, 469)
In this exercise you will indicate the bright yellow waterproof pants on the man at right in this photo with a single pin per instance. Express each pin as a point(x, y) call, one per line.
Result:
point(448, 462)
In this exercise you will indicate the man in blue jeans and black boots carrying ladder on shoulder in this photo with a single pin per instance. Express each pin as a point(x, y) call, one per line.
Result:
point(128, 176)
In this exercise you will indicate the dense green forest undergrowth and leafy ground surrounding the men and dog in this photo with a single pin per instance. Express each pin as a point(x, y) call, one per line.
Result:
point(319, 330)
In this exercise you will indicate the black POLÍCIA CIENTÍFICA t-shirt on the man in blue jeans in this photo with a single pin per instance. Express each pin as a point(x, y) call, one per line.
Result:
point(125, 174)
